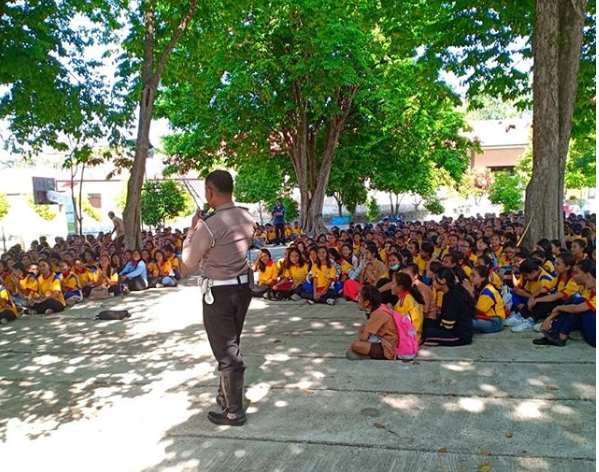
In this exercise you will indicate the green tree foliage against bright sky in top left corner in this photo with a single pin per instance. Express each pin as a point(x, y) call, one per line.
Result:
point(66, 102)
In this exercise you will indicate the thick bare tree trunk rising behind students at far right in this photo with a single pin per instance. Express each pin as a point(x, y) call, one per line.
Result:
point(557, 50)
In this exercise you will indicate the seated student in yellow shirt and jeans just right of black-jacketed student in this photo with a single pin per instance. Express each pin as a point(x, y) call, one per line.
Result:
point(490, 310)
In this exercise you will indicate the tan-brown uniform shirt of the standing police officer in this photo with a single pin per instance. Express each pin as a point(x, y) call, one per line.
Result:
point(220, 243)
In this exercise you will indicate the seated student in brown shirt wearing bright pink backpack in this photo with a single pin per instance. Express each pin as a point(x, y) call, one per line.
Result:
point(387, 335)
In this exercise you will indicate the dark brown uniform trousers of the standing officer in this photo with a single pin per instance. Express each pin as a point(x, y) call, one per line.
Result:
point(223, 321)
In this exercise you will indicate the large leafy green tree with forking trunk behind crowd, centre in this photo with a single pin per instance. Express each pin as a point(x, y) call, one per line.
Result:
point(304, 82)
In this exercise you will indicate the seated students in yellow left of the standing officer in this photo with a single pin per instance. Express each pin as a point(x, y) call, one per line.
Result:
point(48, 279)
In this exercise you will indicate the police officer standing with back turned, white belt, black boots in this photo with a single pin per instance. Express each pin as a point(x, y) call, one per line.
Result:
point(219, 243)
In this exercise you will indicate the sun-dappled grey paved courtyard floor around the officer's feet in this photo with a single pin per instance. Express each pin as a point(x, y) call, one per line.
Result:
point(84, 395)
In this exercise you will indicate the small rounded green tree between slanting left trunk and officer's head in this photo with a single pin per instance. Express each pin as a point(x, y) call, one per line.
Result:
point(162, 200)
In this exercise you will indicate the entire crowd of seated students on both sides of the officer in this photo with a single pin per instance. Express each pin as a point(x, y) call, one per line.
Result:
point(451, 279)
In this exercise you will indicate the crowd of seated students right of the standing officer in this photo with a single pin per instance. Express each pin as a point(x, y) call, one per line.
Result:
point(452, 279)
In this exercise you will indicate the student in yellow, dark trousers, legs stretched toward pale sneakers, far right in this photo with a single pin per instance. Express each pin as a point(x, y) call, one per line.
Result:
point(541, 306)
